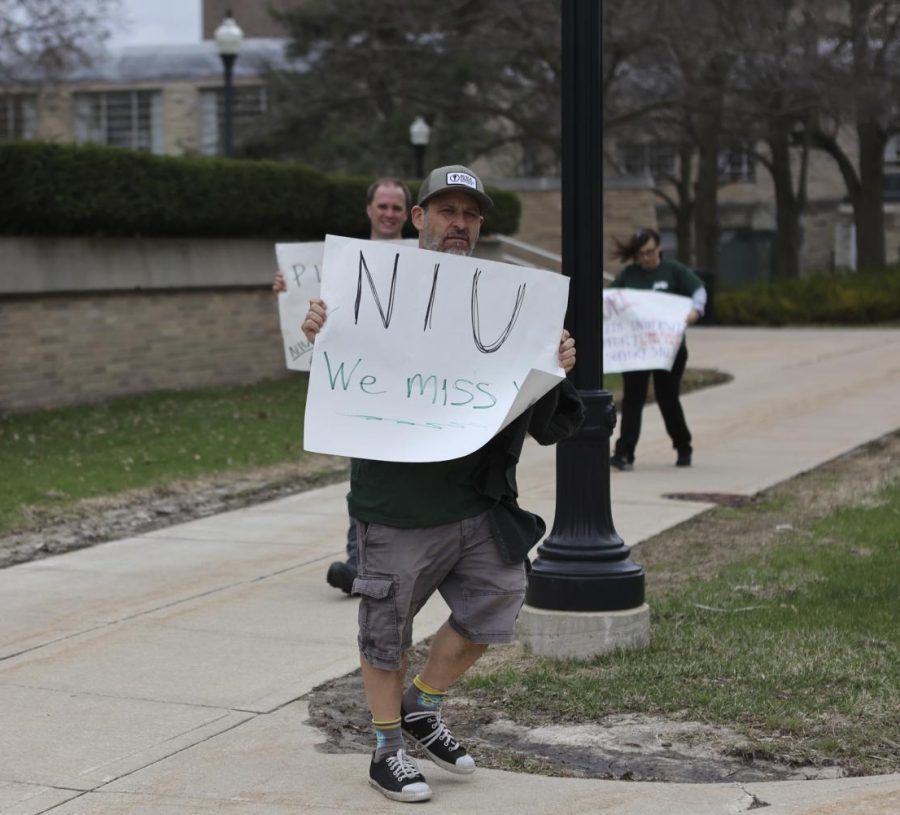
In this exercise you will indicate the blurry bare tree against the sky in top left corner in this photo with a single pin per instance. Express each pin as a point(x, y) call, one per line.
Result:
point(44, 38)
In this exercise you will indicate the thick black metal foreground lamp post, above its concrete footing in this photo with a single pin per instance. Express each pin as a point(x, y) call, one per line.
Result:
point(584, 565)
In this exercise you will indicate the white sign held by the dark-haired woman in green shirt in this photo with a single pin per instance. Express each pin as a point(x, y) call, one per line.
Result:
point(642, 330)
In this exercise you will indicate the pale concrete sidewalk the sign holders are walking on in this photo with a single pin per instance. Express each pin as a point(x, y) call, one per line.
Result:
point(162, 674)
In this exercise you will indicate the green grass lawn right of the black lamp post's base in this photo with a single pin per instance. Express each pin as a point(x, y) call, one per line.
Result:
point(794, 644)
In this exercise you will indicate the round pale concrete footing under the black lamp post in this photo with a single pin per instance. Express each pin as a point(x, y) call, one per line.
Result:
point(582, 634)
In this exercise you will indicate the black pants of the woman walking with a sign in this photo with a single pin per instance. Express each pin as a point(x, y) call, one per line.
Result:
point(667, 387)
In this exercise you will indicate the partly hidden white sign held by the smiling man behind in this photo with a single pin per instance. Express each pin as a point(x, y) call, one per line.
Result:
point(301, 265)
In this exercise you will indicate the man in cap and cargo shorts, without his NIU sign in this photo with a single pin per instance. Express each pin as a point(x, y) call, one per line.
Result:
point(448, 526)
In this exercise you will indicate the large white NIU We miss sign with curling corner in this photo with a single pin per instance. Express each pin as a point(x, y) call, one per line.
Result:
point(424, 356)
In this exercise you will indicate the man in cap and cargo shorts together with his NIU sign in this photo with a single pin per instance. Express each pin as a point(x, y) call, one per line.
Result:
point(428, 520)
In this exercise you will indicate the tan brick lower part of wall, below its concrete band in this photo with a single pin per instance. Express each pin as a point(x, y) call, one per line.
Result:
point(68, 349)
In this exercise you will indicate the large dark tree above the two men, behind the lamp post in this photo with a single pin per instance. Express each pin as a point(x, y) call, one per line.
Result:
point(485, 74)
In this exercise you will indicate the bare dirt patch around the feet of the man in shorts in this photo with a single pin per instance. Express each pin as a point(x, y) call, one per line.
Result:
point(626, 747)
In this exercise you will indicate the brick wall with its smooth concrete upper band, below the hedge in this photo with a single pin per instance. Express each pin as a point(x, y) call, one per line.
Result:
point(84, 320)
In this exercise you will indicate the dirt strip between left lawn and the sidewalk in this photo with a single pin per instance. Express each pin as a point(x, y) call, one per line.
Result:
point(96, 520)
